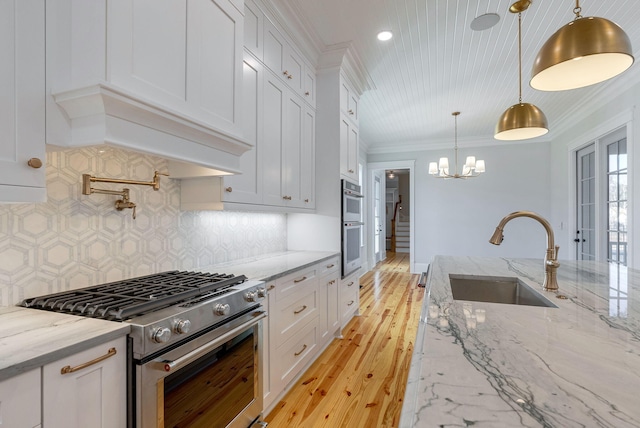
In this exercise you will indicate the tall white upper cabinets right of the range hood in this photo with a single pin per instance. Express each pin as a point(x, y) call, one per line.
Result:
point(278, 173)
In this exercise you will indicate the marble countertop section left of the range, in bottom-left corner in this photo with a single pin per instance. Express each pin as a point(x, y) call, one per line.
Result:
point(30, 338)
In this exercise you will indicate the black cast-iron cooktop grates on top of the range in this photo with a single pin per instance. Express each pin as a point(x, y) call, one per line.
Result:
point(121, 300)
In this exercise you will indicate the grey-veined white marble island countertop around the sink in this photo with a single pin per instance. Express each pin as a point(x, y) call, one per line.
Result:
point(498, 365)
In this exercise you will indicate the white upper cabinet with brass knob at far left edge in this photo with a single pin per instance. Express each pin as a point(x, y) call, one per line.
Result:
point(22, 101)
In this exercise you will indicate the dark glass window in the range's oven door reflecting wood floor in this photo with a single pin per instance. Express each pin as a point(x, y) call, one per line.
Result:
point(214, 389)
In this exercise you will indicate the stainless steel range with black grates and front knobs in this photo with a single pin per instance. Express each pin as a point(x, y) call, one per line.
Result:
point(187, 329)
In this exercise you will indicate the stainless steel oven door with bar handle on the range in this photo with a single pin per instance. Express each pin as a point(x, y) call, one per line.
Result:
point(213, 380)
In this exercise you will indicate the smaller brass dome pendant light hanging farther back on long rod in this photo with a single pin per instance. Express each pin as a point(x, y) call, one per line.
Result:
point(523, 120)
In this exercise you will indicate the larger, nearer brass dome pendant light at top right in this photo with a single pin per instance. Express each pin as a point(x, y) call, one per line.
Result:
point(583, 52)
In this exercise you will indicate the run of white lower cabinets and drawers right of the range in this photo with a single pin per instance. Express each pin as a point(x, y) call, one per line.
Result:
point(307, 309)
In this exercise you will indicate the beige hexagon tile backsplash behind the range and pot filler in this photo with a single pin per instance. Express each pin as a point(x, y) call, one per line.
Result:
point(75, 240)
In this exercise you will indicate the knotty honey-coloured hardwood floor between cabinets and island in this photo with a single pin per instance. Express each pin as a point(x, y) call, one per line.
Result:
point(359, 381)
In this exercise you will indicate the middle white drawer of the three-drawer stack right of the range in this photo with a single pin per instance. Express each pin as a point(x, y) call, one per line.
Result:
point(293, 314)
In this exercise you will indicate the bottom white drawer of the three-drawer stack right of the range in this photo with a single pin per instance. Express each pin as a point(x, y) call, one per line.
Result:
point(297, 352)
